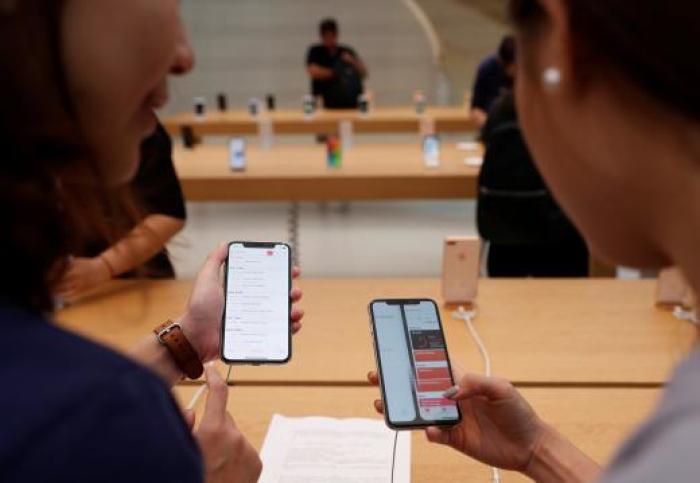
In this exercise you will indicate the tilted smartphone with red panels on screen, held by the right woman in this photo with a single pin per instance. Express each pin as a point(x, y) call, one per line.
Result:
point(413, 363)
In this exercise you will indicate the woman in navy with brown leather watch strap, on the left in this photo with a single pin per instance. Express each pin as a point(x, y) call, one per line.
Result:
point(79, 82)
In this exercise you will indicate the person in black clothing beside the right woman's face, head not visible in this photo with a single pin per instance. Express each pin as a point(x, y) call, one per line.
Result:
point(528, 234)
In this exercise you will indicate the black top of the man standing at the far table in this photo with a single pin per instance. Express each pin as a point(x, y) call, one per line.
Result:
point(335, 96)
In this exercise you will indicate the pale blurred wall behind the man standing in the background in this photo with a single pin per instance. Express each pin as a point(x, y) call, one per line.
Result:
point(248, 48)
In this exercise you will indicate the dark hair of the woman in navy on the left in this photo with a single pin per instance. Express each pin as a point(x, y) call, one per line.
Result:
point(45, 214)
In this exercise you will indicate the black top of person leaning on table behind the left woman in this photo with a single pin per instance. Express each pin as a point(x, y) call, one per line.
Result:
point(156, 190)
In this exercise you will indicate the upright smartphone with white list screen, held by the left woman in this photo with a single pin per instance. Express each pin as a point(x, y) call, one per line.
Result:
point(256, 325)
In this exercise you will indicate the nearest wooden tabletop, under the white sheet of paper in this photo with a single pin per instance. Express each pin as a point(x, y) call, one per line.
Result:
point(597, 420)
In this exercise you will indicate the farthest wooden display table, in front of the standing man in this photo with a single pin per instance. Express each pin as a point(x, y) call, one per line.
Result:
point(291, 121)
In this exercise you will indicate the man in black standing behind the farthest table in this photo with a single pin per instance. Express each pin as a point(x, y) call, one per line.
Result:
point(336, 71)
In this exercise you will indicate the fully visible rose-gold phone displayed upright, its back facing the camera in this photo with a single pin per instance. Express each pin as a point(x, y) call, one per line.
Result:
point(460, 269)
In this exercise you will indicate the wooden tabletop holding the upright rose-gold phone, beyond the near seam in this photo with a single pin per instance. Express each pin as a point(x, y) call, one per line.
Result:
point(539, 332)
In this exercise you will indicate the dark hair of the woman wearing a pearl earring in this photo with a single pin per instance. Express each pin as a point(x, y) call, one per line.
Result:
point(651, 42)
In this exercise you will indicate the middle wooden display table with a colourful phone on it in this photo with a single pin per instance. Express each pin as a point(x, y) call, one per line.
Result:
point(299, 173)
